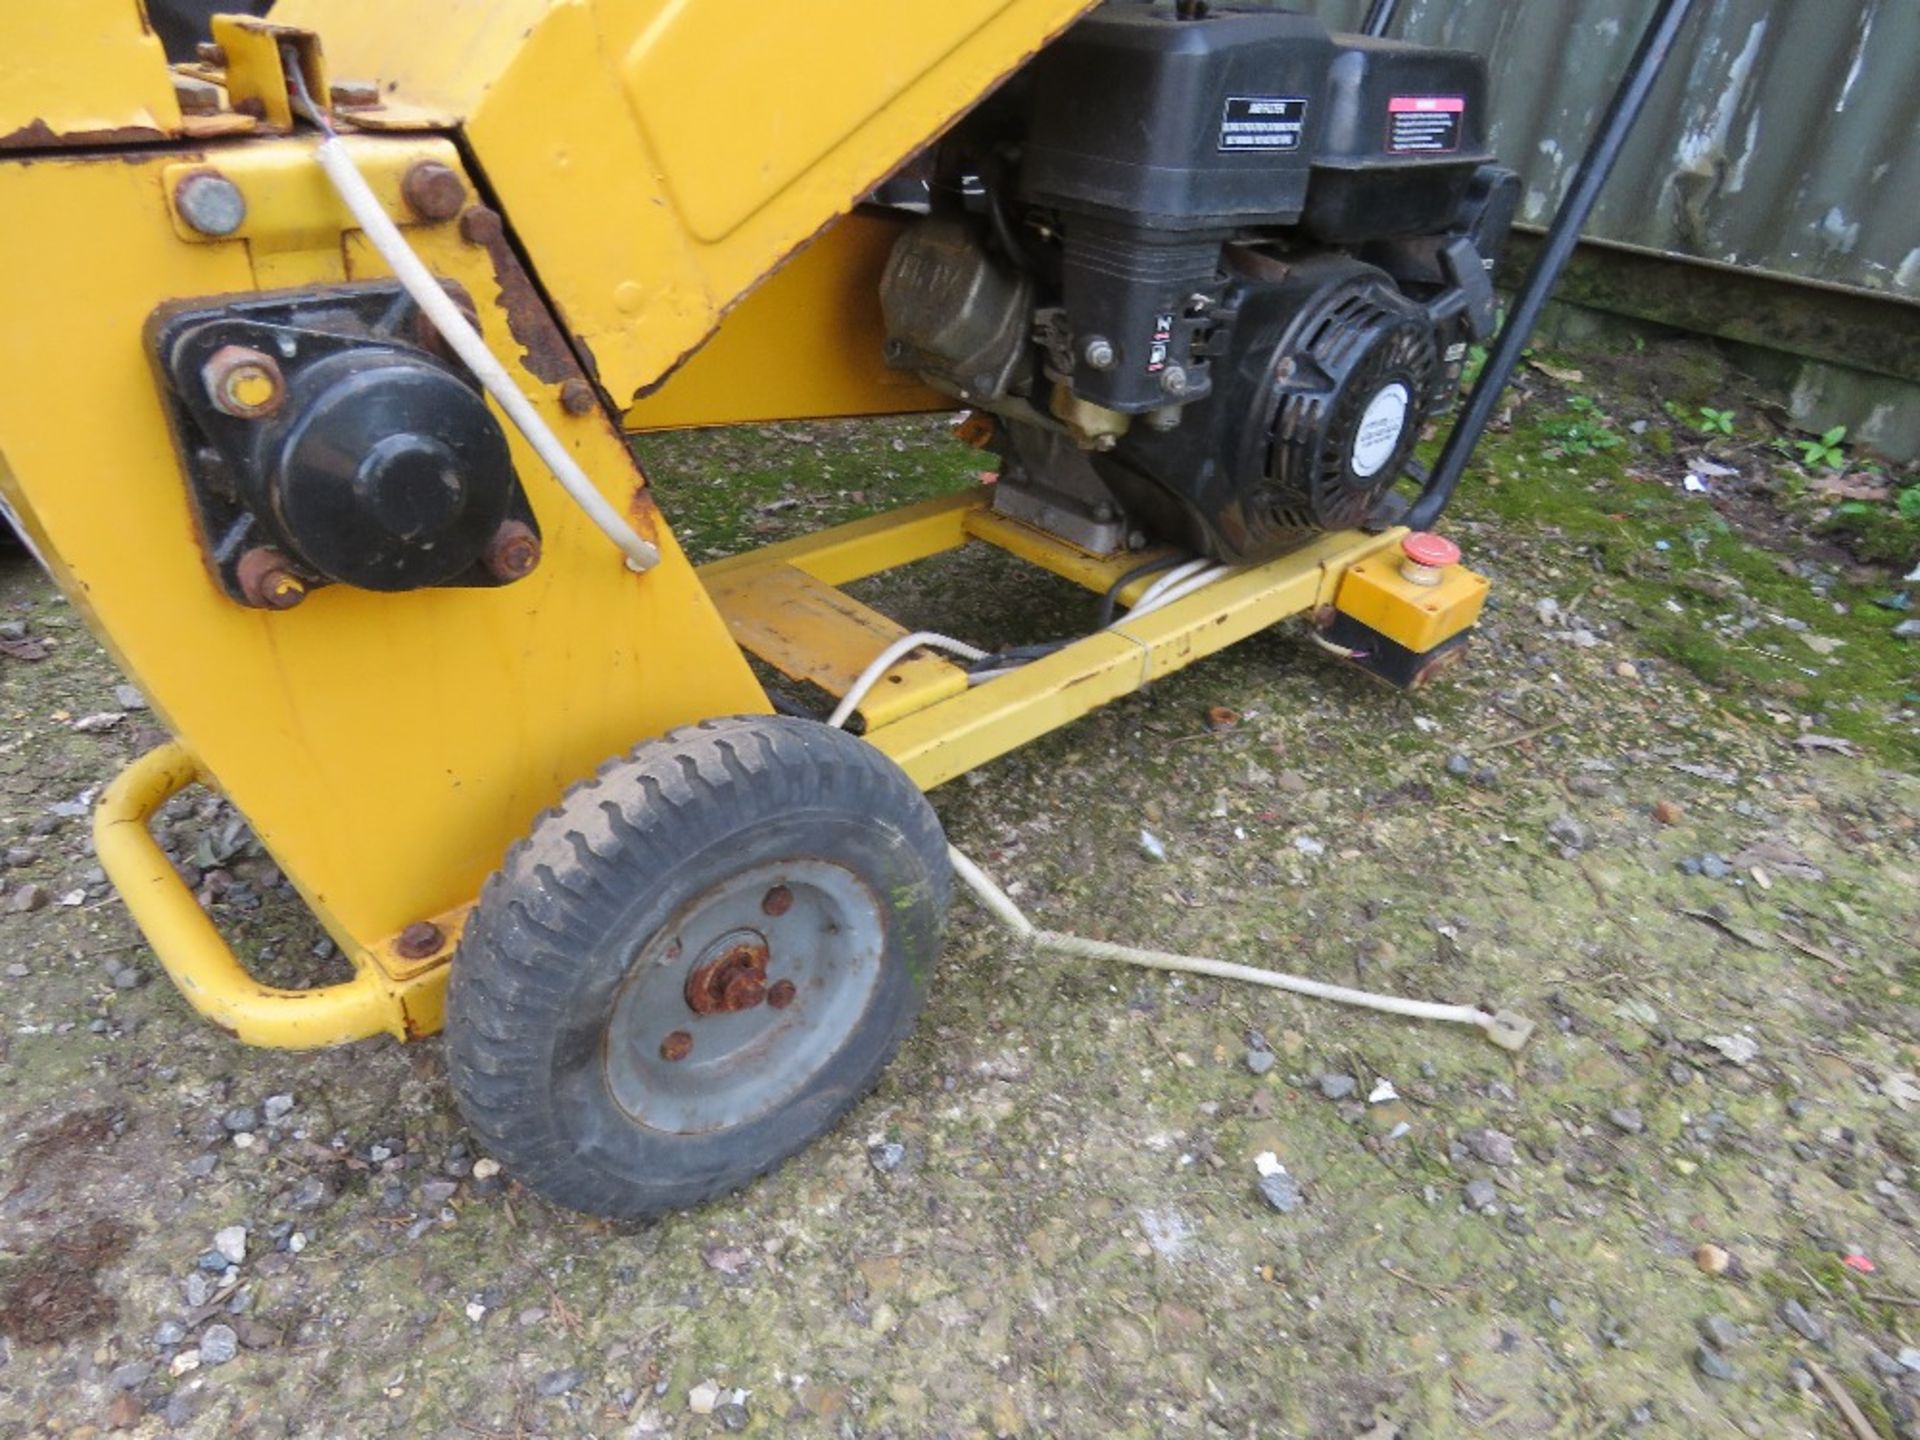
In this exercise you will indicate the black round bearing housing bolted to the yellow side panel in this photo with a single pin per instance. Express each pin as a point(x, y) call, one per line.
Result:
point(331, 439)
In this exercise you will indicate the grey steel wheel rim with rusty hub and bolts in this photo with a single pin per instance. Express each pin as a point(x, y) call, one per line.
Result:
point(683, 1070)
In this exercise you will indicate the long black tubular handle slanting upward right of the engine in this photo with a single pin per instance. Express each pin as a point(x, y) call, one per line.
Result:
point(1631, 97)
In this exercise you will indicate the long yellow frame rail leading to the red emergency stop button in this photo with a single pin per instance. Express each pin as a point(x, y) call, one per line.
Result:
point(955, 736)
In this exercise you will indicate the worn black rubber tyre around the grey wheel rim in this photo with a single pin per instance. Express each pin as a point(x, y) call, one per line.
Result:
point(552, 936)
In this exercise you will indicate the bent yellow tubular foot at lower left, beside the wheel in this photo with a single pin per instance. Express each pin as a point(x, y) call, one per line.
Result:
point(387, 996)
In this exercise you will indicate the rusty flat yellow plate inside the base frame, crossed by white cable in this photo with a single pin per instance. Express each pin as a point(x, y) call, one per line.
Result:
point(811, 631)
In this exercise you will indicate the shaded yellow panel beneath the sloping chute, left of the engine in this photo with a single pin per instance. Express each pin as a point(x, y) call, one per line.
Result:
point(807, 343)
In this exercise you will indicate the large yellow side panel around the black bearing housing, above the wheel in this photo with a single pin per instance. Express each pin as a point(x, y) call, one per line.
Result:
point(387, 748)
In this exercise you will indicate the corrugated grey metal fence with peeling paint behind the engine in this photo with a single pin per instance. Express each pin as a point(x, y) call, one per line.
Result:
point(1785, 135)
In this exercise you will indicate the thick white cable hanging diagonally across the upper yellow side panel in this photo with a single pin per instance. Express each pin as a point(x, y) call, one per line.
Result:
point(473, 352)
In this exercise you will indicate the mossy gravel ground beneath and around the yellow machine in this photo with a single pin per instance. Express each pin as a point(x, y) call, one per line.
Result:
point(1086, 1201)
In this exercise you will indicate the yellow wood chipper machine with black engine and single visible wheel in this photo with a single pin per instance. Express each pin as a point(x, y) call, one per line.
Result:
point(325, 352)
